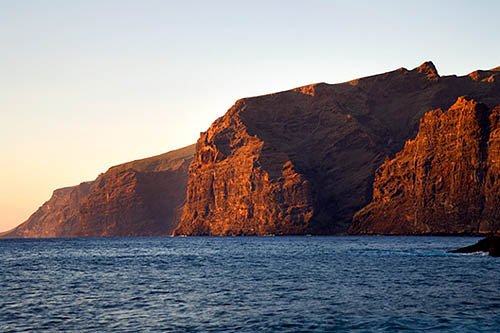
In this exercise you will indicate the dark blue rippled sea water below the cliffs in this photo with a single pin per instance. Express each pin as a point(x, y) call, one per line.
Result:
point(248, 284)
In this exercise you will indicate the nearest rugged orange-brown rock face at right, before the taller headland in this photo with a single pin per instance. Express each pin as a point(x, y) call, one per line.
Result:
point(446, 181)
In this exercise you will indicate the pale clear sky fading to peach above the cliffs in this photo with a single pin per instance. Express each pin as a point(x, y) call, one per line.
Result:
point(88, 84)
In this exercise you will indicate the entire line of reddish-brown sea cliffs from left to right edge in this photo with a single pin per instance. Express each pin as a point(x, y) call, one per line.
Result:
point(305, 161)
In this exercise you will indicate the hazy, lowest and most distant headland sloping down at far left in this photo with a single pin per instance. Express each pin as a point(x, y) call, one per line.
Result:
point(138, 198)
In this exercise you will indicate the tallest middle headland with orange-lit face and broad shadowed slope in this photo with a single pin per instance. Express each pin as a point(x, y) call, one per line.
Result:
point(302, 161)
